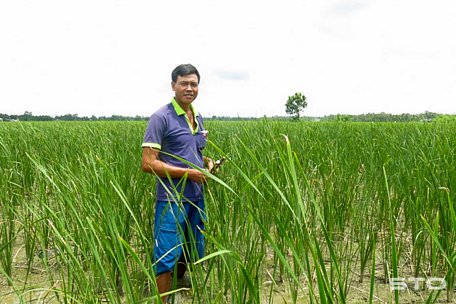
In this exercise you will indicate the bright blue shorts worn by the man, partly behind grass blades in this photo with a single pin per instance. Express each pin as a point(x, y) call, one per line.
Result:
point(178, 226)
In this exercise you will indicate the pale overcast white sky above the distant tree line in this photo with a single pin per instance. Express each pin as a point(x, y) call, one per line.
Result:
point(91, 57)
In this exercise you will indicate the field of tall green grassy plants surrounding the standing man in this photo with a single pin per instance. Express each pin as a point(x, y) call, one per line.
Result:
point(302, 213)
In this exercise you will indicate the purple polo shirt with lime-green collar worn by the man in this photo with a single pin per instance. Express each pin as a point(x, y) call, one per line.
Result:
point(170, 131)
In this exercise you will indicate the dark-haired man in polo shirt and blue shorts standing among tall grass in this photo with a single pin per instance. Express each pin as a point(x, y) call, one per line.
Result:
point(172, 150)
